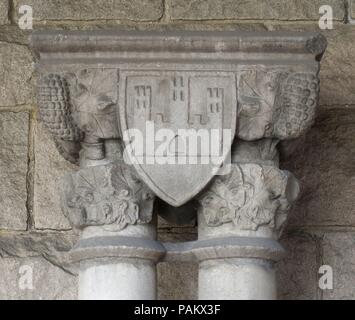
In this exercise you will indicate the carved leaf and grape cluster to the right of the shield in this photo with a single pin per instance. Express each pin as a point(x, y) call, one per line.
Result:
point(276, 103)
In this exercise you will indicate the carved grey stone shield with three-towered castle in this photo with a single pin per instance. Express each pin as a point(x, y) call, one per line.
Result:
point(191, 107)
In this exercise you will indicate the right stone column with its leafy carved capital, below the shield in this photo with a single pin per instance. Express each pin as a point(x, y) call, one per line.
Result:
point(242, 215)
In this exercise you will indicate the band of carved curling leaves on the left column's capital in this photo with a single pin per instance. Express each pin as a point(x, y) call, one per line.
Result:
point(106, 195)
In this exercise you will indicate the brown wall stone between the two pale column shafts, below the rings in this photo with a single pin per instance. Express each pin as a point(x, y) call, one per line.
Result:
point(177, 281)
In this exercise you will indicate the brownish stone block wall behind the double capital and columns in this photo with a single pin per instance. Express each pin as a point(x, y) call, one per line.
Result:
point(33, 232)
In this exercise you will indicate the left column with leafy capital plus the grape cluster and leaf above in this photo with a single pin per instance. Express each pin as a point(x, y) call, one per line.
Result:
point(105, 199)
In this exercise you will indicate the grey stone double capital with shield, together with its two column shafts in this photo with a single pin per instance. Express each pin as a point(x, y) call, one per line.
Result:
point(97, 89)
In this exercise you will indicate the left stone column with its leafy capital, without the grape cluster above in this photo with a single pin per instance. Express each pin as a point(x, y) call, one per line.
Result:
point(117, 252)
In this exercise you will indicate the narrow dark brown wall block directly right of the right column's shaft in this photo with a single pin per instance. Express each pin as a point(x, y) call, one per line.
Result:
point(297, 271)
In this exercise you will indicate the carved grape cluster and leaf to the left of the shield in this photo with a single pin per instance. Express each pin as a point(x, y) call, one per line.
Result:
point(74, 106)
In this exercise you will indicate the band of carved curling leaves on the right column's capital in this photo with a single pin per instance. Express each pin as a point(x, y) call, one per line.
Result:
point(251, 196)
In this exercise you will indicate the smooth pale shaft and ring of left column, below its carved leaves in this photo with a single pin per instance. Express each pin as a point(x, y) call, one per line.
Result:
point(117, 265)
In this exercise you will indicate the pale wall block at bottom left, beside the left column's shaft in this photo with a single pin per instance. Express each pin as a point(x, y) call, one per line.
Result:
point(48, 281)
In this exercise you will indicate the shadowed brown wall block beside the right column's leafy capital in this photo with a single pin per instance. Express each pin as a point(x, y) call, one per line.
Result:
point(325, 166)
